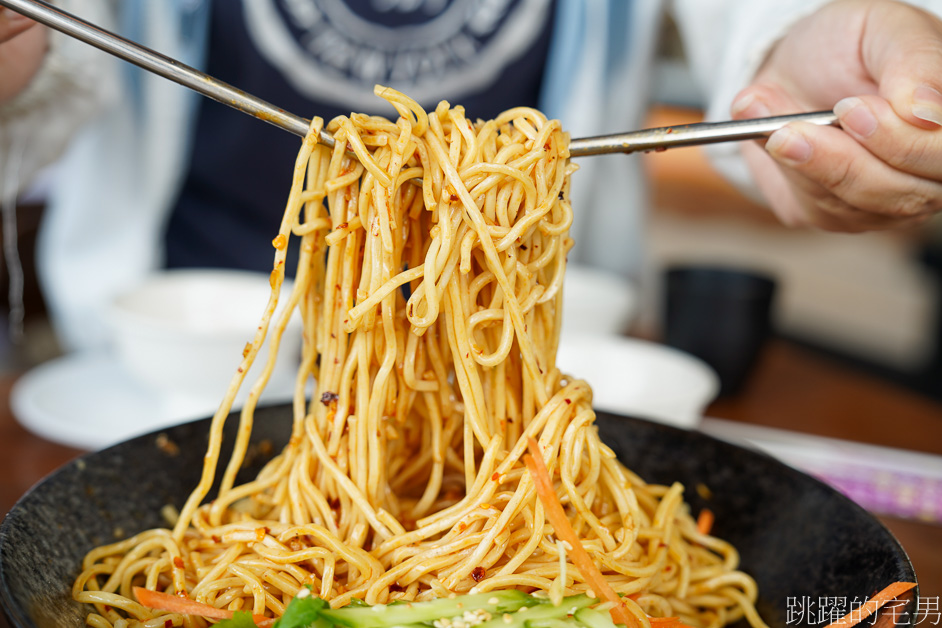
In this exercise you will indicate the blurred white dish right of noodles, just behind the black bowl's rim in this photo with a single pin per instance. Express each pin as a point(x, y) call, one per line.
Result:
point(639, 378)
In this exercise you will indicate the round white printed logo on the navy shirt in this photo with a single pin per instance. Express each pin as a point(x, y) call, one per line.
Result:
point(450, 48)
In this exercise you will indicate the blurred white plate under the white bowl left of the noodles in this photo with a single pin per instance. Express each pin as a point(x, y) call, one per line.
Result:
point(90, 401)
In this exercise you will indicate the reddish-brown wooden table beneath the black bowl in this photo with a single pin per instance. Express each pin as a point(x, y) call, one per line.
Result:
point(792, 389)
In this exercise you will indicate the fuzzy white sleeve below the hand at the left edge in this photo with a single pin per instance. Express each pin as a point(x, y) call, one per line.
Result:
point(74, 83)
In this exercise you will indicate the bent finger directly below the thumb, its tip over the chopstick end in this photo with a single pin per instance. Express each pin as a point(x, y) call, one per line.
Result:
point(872, 121)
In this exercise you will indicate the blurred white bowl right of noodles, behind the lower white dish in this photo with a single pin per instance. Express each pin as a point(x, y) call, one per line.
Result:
point(597, 301)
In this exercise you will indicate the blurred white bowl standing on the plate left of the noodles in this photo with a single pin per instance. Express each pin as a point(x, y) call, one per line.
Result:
point(182, 333)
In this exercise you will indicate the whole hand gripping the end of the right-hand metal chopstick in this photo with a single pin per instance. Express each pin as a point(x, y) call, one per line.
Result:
point(879, 65)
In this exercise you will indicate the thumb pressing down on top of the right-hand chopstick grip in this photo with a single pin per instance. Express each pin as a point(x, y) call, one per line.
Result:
point(901, 48)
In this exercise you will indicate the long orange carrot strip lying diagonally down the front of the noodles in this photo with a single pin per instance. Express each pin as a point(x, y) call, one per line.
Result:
point(557, 518)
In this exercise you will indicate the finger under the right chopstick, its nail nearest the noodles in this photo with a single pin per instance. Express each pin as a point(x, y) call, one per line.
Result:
point(828, 158)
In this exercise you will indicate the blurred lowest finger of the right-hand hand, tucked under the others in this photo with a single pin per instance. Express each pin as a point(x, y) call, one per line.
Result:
point(799, 203)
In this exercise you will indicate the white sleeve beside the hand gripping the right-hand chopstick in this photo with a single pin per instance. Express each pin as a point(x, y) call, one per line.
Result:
point(725, 42)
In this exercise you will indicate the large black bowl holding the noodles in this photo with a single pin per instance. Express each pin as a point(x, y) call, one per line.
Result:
point(801, 540)
